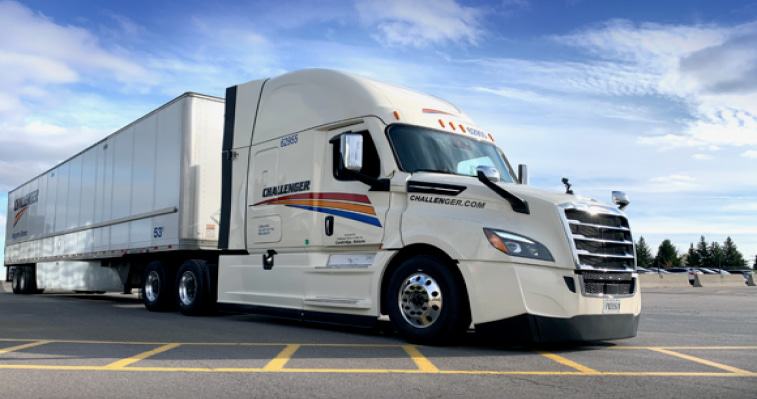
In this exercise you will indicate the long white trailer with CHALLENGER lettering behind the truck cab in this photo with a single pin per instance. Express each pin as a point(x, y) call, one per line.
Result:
point(147, 191)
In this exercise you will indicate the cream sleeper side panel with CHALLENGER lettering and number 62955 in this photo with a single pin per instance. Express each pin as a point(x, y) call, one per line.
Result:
point(279, 231)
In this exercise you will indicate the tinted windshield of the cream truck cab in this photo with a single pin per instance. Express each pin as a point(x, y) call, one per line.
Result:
point(421, 149)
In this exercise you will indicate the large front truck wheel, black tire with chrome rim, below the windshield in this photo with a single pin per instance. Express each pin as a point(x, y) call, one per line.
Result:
point(427, 303)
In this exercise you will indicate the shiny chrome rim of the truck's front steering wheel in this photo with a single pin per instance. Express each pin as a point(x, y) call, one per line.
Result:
point(420, 300)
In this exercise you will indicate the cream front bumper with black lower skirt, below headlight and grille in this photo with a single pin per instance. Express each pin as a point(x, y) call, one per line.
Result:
point(545, 304)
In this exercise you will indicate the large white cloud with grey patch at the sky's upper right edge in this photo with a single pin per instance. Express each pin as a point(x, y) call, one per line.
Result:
point(711, 69)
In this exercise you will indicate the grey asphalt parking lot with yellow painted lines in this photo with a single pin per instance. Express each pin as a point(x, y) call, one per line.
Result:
point(698, 341)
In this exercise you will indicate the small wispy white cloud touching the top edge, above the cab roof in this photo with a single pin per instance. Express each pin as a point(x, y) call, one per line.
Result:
point(421, 23)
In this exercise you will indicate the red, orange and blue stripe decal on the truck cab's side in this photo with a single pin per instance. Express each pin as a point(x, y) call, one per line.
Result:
point(351, 206)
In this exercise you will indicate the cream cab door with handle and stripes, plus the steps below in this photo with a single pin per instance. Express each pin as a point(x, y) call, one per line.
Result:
point(351, 221)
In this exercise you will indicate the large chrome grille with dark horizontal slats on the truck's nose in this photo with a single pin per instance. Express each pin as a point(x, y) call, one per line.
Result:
point(601, 237)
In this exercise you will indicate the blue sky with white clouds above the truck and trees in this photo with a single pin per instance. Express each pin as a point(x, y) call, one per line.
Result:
point(654, 98)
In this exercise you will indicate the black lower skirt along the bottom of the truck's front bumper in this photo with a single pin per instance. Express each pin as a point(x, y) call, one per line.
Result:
point(527, 328)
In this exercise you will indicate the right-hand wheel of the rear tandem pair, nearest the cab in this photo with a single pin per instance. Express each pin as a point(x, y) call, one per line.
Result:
point(193, 288)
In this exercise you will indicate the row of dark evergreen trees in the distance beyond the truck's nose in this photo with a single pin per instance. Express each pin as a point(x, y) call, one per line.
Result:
point(708, 255)
